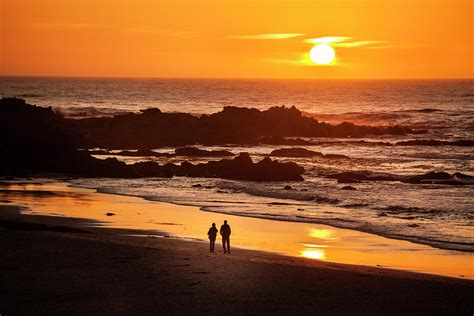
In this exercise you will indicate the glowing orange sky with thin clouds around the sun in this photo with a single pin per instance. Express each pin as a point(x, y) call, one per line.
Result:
point(230, 38)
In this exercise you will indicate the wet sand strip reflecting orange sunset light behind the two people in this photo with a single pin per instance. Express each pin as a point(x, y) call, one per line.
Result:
point(320, 242)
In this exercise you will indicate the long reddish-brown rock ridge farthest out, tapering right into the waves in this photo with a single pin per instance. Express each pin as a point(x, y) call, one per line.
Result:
point(233, 125)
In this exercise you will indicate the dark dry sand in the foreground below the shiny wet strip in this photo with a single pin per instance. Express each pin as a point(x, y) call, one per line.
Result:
point(58, 267)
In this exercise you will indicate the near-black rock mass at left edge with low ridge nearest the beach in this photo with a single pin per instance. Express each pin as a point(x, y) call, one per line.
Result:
point(38, 140)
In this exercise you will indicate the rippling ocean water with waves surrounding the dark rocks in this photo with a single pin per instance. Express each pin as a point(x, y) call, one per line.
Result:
point(434, 214)
